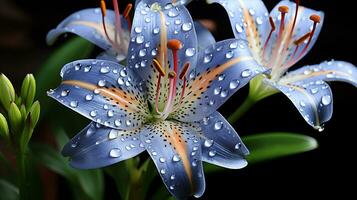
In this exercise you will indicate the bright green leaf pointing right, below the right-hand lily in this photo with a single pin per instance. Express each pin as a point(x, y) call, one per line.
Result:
point(267, 146)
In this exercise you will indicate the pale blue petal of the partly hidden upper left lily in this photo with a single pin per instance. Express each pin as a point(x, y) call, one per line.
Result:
point(87, 23)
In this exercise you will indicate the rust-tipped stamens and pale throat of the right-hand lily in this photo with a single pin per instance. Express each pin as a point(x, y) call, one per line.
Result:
point(281, 57)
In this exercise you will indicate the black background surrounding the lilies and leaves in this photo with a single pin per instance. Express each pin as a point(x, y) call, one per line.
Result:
point(327, 171)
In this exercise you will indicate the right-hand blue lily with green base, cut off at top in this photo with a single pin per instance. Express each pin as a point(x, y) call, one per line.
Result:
point(278, 41)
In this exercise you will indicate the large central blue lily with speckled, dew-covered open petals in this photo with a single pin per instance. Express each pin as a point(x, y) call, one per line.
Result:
point(164, 101)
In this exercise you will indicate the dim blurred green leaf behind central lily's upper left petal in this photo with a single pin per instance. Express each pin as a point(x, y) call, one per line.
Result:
point(48, 75)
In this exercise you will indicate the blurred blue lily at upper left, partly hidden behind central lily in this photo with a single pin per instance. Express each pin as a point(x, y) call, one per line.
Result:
point(107, 29)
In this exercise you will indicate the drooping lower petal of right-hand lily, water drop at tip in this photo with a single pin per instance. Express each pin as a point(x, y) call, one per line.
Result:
point(312, 99)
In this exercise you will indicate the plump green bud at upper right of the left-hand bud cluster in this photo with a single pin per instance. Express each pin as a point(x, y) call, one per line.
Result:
point(28, 90)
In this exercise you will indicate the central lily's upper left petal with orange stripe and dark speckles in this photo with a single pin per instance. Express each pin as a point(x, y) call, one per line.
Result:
point(104, 92)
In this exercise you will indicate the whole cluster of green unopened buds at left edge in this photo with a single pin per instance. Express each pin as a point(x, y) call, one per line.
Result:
point(19, 114)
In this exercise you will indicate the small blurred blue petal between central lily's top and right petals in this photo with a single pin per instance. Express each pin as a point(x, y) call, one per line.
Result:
point(204, 36)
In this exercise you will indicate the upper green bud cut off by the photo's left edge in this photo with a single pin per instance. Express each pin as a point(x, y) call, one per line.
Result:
point(7, 91)
